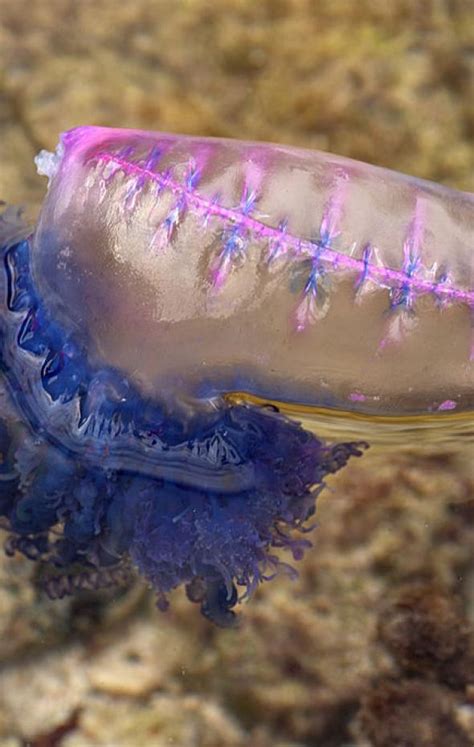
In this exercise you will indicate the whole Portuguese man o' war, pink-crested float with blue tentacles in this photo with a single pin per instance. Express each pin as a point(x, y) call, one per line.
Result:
point(177, 293)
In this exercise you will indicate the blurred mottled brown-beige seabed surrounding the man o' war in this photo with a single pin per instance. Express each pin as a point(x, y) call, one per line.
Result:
point(372, 646)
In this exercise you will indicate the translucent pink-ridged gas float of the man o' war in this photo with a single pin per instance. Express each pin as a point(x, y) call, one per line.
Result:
point(290, 274)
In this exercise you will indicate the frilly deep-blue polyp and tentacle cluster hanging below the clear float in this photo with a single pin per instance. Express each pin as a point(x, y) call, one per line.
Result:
point(96, 480)
